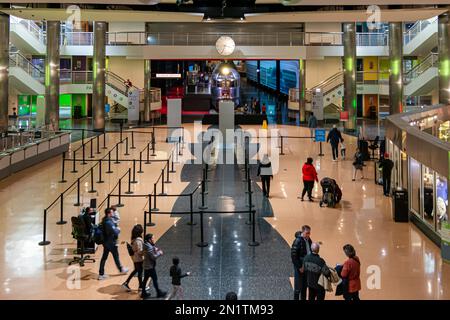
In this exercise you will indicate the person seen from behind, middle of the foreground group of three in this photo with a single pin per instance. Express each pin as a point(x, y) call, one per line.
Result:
point(314, 266)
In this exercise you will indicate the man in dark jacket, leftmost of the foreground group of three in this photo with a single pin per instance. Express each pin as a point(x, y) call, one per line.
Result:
point(300, 248)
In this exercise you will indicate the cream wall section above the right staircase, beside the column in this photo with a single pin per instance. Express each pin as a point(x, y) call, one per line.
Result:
point(319, 70)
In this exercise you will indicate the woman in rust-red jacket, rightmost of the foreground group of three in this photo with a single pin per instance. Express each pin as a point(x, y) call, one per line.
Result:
point(351, 273)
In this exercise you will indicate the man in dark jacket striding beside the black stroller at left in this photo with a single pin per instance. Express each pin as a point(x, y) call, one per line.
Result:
point(110, 235)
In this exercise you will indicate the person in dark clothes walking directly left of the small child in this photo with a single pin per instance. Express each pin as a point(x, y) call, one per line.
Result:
point(151, 253)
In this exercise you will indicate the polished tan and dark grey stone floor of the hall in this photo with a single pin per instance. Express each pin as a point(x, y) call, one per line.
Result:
point(410, 264)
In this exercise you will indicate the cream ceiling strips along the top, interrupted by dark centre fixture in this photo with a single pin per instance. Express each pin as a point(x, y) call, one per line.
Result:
point(155, 16)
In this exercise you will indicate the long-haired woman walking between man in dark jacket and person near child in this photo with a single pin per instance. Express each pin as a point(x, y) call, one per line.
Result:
point(136, 251)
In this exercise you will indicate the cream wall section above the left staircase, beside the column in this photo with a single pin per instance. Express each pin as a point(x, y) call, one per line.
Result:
point(132, 69)
